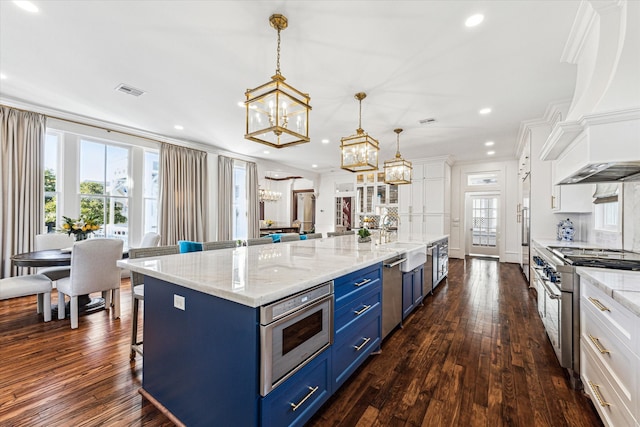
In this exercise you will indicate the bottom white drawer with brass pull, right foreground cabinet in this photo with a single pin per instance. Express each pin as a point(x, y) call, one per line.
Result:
point(609, 405)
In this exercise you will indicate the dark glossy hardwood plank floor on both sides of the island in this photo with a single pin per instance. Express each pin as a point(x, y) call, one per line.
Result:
point(474, 354)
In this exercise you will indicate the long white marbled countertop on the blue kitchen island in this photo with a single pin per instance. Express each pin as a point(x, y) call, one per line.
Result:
point(258, 275)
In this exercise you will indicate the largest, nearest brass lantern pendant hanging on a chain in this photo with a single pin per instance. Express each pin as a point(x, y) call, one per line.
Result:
point(277, 114)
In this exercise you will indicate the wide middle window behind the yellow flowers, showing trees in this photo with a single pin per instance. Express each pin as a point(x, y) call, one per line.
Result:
point(104, 187)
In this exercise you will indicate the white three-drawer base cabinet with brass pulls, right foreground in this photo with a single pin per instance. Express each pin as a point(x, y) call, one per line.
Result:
point(609, 356)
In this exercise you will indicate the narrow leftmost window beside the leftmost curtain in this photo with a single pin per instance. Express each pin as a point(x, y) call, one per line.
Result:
point(51, 182)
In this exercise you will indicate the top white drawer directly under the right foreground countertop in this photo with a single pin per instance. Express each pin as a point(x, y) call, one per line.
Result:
point(617, 318)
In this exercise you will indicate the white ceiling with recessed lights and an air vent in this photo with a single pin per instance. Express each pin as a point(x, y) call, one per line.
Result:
point(195, 59)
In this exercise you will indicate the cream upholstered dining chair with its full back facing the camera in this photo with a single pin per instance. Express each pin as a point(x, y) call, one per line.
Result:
point(93, 269)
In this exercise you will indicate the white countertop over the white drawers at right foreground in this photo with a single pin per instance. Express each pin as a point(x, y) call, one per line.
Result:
point(623, 286)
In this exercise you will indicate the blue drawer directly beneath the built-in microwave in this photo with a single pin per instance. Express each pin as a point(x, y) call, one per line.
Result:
point(294, 401)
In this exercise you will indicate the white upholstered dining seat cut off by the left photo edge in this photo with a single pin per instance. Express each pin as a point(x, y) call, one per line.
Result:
point(31, 284)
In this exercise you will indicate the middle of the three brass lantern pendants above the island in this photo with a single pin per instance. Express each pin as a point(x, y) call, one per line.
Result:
point(359, 151)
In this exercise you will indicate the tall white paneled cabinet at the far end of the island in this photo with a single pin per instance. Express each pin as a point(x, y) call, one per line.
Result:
point(425, 205)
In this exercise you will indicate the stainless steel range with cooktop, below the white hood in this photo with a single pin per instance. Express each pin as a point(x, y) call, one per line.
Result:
point(558, 288)
